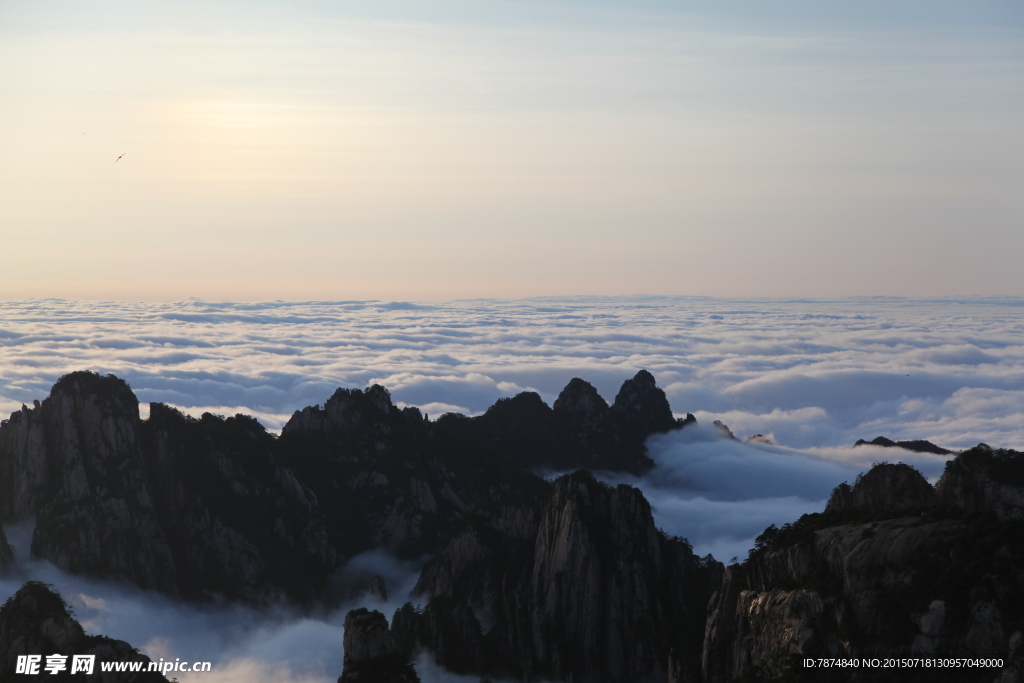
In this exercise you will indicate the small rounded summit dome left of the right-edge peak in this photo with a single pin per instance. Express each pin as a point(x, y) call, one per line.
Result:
point(884, 488)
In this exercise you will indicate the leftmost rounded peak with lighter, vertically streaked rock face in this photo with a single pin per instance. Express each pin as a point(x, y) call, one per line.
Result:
point(75, 464)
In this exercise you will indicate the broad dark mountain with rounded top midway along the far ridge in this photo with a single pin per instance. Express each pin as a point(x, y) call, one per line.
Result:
point(388, 479)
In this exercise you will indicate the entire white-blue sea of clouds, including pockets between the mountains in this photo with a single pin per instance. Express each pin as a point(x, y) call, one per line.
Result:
point(813, 375)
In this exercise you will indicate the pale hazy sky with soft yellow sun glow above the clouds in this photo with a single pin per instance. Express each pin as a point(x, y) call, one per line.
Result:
point(430, 152)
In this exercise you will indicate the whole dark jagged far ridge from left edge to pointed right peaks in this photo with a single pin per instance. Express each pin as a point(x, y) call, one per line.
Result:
point(216, 507)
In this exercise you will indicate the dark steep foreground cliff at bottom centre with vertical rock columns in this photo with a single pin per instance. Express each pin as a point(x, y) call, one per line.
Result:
point(578, 585)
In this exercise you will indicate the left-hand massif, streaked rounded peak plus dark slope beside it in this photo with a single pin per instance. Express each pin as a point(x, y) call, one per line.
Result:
point(187, 507)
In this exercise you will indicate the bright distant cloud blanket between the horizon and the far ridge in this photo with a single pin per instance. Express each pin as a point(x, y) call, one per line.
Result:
point(815, 373)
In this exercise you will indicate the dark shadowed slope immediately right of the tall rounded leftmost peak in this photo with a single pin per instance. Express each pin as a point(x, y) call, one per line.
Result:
point(237, 520)
